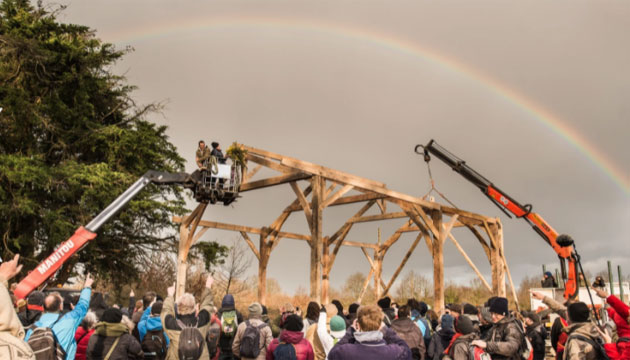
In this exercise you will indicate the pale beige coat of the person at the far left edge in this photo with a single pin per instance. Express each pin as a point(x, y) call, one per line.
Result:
point(12, 345)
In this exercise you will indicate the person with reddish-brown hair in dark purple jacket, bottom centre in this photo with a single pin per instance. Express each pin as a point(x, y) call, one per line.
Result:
point(370, 339)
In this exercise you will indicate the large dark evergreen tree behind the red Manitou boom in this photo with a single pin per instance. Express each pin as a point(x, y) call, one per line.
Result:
point(71, 140)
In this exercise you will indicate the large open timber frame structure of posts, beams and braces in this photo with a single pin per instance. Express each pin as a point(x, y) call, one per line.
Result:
point(326, 188)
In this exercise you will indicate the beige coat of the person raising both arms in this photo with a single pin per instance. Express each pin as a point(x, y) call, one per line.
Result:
point(172, 329)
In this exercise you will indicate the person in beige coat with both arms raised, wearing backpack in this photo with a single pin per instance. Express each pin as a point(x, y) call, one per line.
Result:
point(186, 316)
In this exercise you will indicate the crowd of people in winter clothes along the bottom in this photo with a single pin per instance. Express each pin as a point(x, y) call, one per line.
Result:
point(48, 326)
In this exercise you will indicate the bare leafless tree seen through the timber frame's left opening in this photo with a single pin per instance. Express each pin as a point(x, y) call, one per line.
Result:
point(231, 272)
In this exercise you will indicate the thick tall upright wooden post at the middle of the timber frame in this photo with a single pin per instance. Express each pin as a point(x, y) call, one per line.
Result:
point(317, 183)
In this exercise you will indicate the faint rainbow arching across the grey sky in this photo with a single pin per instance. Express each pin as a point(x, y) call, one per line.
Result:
point(537, 112)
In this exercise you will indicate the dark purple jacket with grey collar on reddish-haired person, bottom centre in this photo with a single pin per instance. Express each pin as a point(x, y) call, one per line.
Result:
point(370, 345)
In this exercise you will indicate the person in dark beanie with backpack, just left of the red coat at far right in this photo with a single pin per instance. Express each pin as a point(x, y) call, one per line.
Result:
point(585, 341)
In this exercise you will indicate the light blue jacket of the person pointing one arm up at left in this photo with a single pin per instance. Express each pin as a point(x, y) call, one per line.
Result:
point(65, 328)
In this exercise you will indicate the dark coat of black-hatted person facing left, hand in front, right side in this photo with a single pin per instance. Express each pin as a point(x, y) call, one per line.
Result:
point(505, 340)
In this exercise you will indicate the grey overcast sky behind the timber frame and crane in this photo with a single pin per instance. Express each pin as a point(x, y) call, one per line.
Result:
point(338, 83)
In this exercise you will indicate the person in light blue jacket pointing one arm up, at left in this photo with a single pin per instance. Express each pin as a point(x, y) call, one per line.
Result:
point(65, 326)
